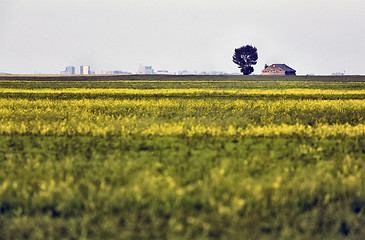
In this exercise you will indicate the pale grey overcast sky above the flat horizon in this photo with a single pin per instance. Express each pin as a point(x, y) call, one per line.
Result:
point(312, 36)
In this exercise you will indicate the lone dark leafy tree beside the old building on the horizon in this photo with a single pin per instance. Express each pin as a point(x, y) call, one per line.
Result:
point(244, 57)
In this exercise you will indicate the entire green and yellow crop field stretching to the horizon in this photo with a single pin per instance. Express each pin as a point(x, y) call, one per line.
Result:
point(182, 159)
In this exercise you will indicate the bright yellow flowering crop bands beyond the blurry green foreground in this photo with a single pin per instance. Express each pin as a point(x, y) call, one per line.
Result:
point(184, 117)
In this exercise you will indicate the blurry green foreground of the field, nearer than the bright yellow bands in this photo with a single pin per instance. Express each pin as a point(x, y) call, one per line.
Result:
point(181, 188)
